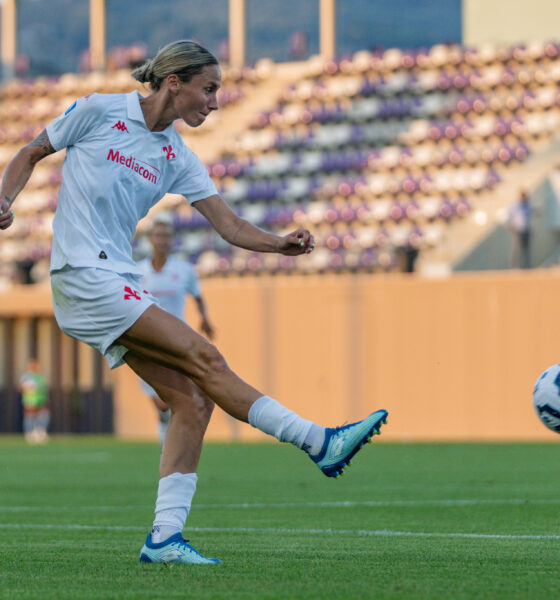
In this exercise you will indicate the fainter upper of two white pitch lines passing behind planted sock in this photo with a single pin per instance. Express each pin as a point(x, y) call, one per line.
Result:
point(333, 504)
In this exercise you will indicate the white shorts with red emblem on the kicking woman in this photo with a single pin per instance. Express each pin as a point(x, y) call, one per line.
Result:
point(97, 306)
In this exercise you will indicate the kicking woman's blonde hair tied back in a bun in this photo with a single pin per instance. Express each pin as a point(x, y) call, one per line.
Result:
point(184, 58)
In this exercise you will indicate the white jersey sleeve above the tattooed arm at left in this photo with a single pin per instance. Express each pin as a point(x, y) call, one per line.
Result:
point(76, 121)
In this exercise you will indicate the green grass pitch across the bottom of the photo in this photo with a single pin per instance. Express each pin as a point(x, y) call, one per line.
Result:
point(406, 521)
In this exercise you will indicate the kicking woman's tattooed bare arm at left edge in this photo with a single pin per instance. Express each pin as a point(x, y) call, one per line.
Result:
point(18, 172)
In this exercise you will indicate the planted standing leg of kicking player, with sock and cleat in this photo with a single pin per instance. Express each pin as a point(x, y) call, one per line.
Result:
point(190, 413)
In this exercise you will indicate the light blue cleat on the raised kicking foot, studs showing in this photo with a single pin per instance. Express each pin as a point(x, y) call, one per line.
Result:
point(341, 443)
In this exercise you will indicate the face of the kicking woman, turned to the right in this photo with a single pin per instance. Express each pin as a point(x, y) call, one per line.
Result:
point(197, 98)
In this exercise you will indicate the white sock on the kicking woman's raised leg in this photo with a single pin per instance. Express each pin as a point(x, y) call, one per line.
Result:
point(285, 425)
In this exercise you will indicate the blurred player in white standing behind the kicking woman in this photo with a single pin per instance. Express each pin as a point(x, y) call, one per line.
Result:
point(170, 279)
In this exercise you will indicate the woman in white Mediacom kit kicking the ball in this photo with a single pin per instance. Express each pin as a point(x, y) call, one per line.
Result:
point(122, 156)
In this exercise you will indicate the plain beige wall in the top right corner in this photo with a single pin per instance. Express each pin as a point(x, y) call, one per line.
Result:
point(510, 21)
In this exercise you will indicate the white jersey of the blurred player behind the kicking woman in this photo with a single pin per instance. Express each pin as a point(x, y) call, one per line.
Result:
point(171, 285)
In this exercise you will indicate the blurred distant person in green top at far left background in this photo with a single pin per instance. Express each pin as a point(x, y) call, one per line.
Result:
point(34, 397)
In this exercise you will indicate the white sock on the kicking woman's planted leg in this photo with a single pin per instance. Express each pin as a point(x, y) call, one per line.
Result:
point(175, 493)
